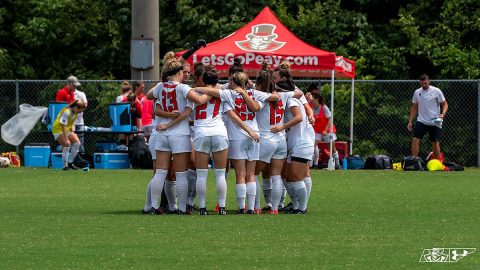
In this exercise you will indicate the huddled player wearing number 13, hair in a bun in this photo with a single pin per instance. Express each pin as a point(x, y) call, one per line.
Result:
point(174, 138)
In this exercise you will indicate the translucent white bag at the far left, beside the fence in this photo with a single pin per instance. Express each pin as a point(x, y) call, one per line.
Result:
point(20, 125)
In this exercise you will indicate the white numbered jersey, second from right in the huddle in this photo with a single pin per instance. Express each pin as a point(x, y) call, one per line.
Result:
point(272, 114)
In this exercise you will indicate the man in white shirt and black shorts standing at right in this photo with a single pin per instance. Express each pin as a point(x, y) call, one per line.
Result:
point(426, 102)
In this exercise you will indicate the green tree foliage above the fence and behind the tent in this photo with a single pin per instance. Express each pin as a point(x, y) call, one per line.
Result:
point(42, 39)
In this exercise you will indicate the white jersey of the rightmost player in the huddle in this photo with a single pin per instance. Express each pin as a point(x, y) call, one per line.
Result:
point(298, 136)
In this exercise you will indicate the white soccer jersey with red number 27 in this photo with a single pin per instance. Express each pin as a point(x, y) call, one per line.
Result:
point(208, 117)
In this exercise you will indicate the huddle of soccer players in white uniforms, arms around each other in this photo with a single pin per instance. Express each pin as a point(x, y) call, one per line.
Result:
point(262, 128)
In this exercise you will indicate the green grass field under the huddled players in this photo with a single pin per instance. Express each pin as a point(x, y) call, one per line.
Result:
point(52, 219)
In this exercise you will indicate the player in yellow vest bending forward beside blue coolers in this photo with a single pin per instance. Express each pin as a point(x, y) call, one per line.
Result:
point(63, 133)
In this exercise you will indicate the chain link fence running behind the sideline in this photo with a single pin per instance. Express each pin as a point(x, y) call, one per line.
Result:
point(381, 112)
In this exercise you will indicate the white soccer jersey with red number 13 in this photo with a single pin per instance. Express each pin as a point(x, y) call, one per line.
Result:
point(172, 96)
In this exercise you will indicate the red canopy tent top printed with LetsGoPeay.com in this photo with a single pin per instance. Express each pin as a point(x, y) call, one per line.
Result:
point(267, 39)
